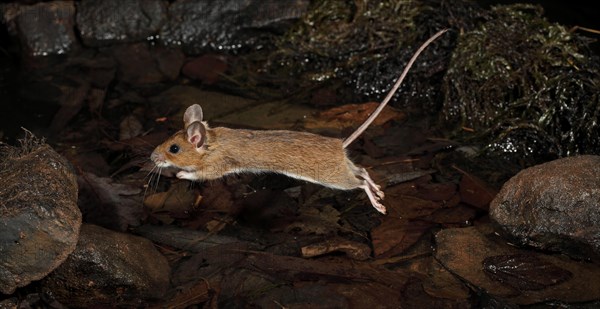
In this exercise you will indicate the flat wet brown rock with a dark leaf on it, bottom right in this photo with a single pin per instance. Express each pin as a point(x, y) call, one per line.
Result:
point(479, 257)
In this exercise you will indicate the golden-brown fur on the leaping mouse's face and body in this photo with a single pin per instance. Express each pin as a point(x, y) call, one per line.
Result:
point(228, 151)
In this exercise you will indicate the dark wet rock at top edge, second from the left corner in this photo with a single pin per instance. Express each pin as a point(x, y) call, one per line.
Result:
point(105, 22)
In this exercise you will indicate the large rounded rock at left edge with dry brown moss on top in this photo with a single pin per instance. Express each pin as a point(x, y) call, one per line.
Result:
point(39, 218)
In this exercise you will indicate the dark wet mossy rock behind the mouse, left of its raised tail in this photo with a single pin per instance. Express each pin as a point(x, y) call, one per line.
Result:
point(353, 48)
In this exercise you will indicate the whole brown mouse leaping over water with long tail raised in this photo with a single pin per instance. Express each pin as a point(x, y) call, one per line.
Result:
point(200, 152)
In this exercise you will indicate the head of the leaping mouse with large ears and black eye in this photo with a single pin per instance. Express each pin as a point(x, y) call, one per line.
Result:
point(181, 149)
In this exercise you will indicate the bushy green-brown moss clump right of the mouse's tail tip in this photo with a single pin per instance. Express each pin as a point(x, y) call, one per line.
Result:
point(519, 75)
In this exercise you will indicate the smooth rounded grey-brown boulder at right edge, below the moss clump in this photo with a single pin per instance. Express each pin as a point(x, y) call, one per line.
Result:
point(553, 206)
